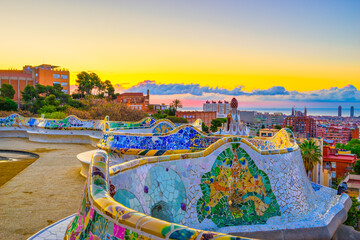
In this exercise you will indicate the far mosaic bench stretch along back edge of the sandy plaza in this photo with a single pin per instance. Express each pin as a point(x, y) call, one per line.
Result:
point(74, 130)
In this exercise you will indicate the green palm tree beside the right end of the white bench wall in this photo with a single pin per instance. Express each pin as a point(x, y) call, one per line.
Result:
point(311, 154)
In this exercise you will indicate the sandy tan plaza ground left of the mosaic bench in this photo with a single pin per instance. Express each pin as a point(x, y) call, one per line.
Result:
point(46, 191)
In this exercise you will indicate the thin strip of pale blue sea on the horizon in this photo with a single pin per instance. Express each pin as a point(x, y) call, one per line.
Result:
point(287, 111)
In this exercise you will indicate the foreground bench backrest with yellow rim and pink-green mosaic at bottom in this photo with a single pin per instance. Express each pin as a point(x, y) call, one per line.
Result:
point(115, 221)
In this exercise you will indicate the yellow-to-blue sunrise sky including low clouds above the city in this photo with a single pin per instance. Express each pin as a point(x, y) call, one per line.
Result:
point(260, 51)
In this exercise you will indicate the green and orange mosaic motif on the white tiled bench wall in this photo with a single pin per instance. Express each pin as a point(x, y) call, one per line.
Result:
point(236, 192)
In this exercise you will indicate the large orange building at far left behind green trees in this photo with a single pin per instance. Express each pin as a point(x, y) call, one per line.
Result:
point(44, 74)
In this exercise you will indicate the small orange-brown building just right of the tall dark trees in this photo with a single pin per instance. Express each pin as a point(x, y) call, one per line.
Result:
point(135, 100)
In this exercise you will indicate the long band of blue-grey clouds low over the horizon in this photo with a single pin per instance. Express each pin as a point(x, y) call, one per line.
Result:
point(348, 93)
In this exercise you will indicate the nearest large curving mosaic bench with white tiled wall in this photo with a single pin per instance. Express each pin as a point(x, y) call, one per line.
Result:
point(235, 187)
